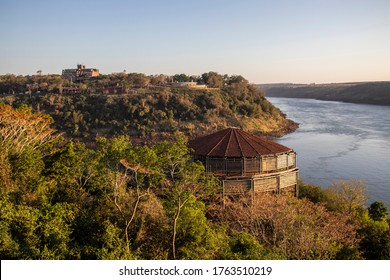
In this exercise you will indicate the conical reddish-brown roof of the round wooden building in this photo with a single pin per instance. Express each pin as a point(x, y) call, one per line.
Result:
point(234, 142)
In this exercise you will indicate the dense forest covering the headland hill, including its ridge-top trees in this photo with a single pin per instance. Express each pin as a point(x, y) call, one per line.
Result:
point(151, 108)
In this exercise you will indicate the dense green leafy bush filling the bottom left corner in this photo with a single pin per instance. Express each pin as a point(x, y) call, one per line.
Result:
point(35, 232)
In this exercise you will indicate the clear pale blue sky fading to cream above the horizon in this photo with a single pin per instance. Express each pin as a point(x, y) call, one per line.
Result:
point(265, 41)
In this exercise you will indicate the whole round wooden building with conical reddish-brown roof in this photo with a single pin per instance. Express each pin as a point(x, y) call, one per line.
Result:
point(247, 163)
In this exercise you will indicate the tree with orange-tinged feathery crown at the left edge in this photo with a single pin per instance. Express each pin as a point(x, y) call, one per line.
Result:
point(25, 138)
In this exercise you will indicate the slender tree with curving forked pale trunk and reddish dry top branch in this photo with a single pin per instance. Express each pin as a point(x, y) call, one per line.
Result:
point(134, 172)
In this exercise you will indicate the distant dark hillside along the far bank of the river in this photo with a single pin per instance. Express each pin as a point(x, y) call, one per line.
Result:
point(377, 93)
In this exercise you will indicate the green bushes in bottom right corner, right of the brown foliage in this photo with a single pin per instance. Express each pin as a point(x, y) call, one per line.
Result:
point(373, 222)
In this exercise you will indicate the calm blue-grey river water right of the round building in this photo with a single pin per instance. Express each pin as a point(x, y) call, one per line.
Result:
point(338, 140)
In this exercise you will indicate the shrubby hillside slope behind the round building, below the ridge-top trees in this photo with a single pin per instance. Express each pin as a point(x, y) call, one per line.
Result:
point(153, 113)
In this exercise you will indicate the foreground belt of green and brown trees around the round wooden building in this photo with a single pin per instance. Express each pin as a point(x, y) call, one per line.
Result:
point(62, 200)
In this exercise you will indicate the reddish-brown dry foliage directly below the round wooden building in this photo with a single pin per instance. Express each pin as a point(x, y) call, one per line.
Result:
point(294, 228)
